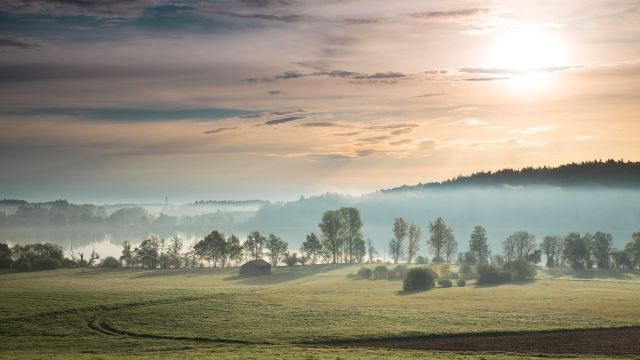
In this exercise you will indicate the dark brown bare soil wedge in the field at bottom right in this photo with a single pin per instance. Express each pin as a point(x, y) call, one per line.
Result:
point(608, 341)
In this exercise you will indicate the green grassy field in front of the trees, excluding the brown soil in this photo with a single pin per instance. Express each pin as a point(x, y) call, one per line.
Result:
point(294, 313)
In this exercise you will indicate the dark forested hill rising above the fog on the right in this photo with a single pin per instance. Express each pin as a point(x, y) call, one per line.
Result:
point(610, 173)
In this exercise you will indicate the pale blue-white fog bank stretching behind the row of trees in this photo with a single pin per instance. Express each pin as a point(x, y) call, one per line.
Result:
point(542, 210)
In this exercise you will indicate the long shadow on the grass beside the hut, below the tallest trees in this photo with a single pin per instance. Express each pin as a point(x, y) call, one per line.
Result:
point(284, 274)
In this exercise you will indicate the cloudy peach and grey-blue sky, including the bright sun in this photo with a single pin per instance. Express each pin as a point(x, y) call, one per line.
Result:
point(132, 101)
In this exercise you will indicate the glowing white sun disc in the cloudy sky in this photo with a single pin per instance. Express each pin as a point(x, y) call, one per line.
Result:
point(528, 58)
